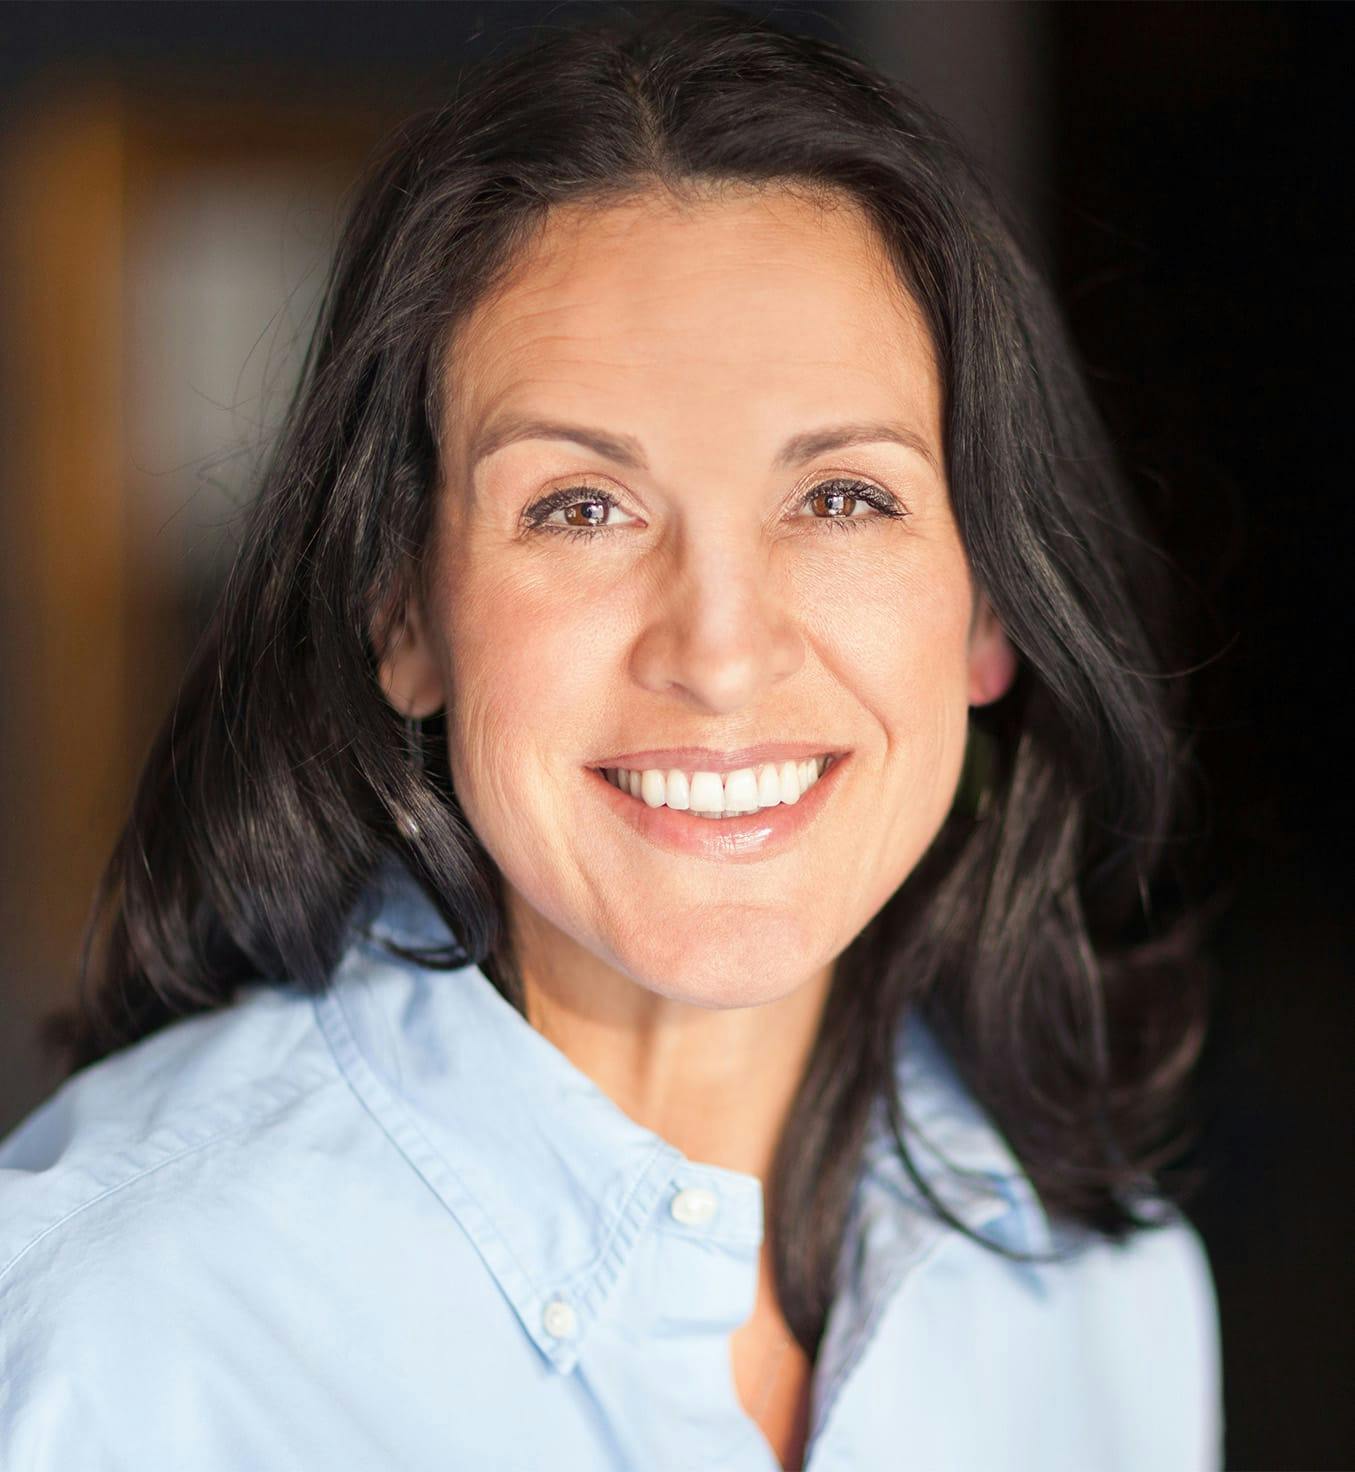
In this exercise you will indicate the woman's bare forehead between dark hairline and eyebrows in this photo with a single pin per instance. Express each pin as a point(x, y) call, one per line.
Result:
point(741, 308)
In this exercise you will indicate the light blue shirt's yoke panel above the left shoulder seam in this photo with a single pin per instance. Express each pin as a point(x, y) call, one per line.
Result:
point(120, 1136)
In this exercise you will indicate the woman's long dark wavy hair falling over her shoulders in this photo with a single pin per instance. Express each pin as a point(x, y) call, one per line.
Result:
point(1026, 935)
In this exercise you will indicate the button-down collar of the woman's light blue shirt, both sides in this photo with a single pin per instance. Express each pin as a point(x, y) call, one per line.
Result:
point(550, 1178)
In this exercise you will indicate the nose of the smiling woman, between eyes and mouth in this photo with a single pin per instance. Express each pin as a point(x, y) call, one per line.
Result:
point(720, 632)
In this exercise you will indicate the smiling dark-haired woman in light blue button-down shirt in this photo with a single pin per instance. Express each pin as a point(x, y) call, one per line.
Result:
point(651, 840)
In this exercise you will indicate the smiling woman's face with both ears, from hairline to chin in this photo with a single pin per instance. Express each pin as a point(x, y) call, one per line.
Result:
point(707, 597)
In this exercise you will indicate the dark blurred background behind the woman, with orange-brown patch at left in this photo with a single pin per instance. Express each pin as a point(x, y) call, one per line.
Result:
point(171, 177)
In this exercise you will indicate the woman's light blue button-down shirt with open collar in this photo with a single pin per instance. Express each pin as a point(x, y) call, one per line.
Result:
point(395, 1230)
